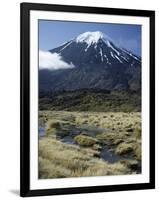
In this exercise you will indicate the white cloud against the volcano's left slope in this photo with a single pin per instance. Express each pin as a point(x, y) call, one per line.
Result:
point(52, 61)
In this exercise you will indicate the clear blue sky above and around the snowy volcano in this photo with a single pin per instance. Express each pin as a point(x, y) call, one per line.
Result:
point(54, 33)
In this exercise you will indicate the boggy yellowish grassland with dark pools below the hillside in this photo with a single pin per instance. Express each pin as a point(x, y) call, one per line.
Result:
point(75, 144)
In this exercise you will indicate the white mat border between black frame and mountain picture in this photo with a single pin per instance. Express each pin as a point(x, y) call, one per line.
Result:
point(36, 183)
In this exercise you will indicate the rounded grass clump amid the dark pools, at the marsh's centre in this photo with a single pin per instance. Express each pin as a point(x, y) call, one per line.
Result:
point(84, 140)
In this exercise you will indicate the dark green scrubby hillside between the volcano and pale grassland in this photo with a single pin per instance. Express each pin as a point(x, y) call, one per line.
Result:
point(90, 100)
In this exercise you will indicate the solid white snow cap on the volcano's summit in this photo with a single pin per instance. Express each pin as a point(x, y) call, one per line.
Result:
point(90, 37)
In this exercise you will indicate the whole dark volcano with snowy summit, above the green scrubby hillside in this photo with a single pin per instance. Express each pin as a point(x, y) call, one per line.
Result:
point(98, 63)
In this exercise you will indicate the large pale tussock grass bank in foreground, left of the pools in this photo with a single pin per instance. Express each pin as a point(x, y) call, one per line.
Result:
point(59, 160)
